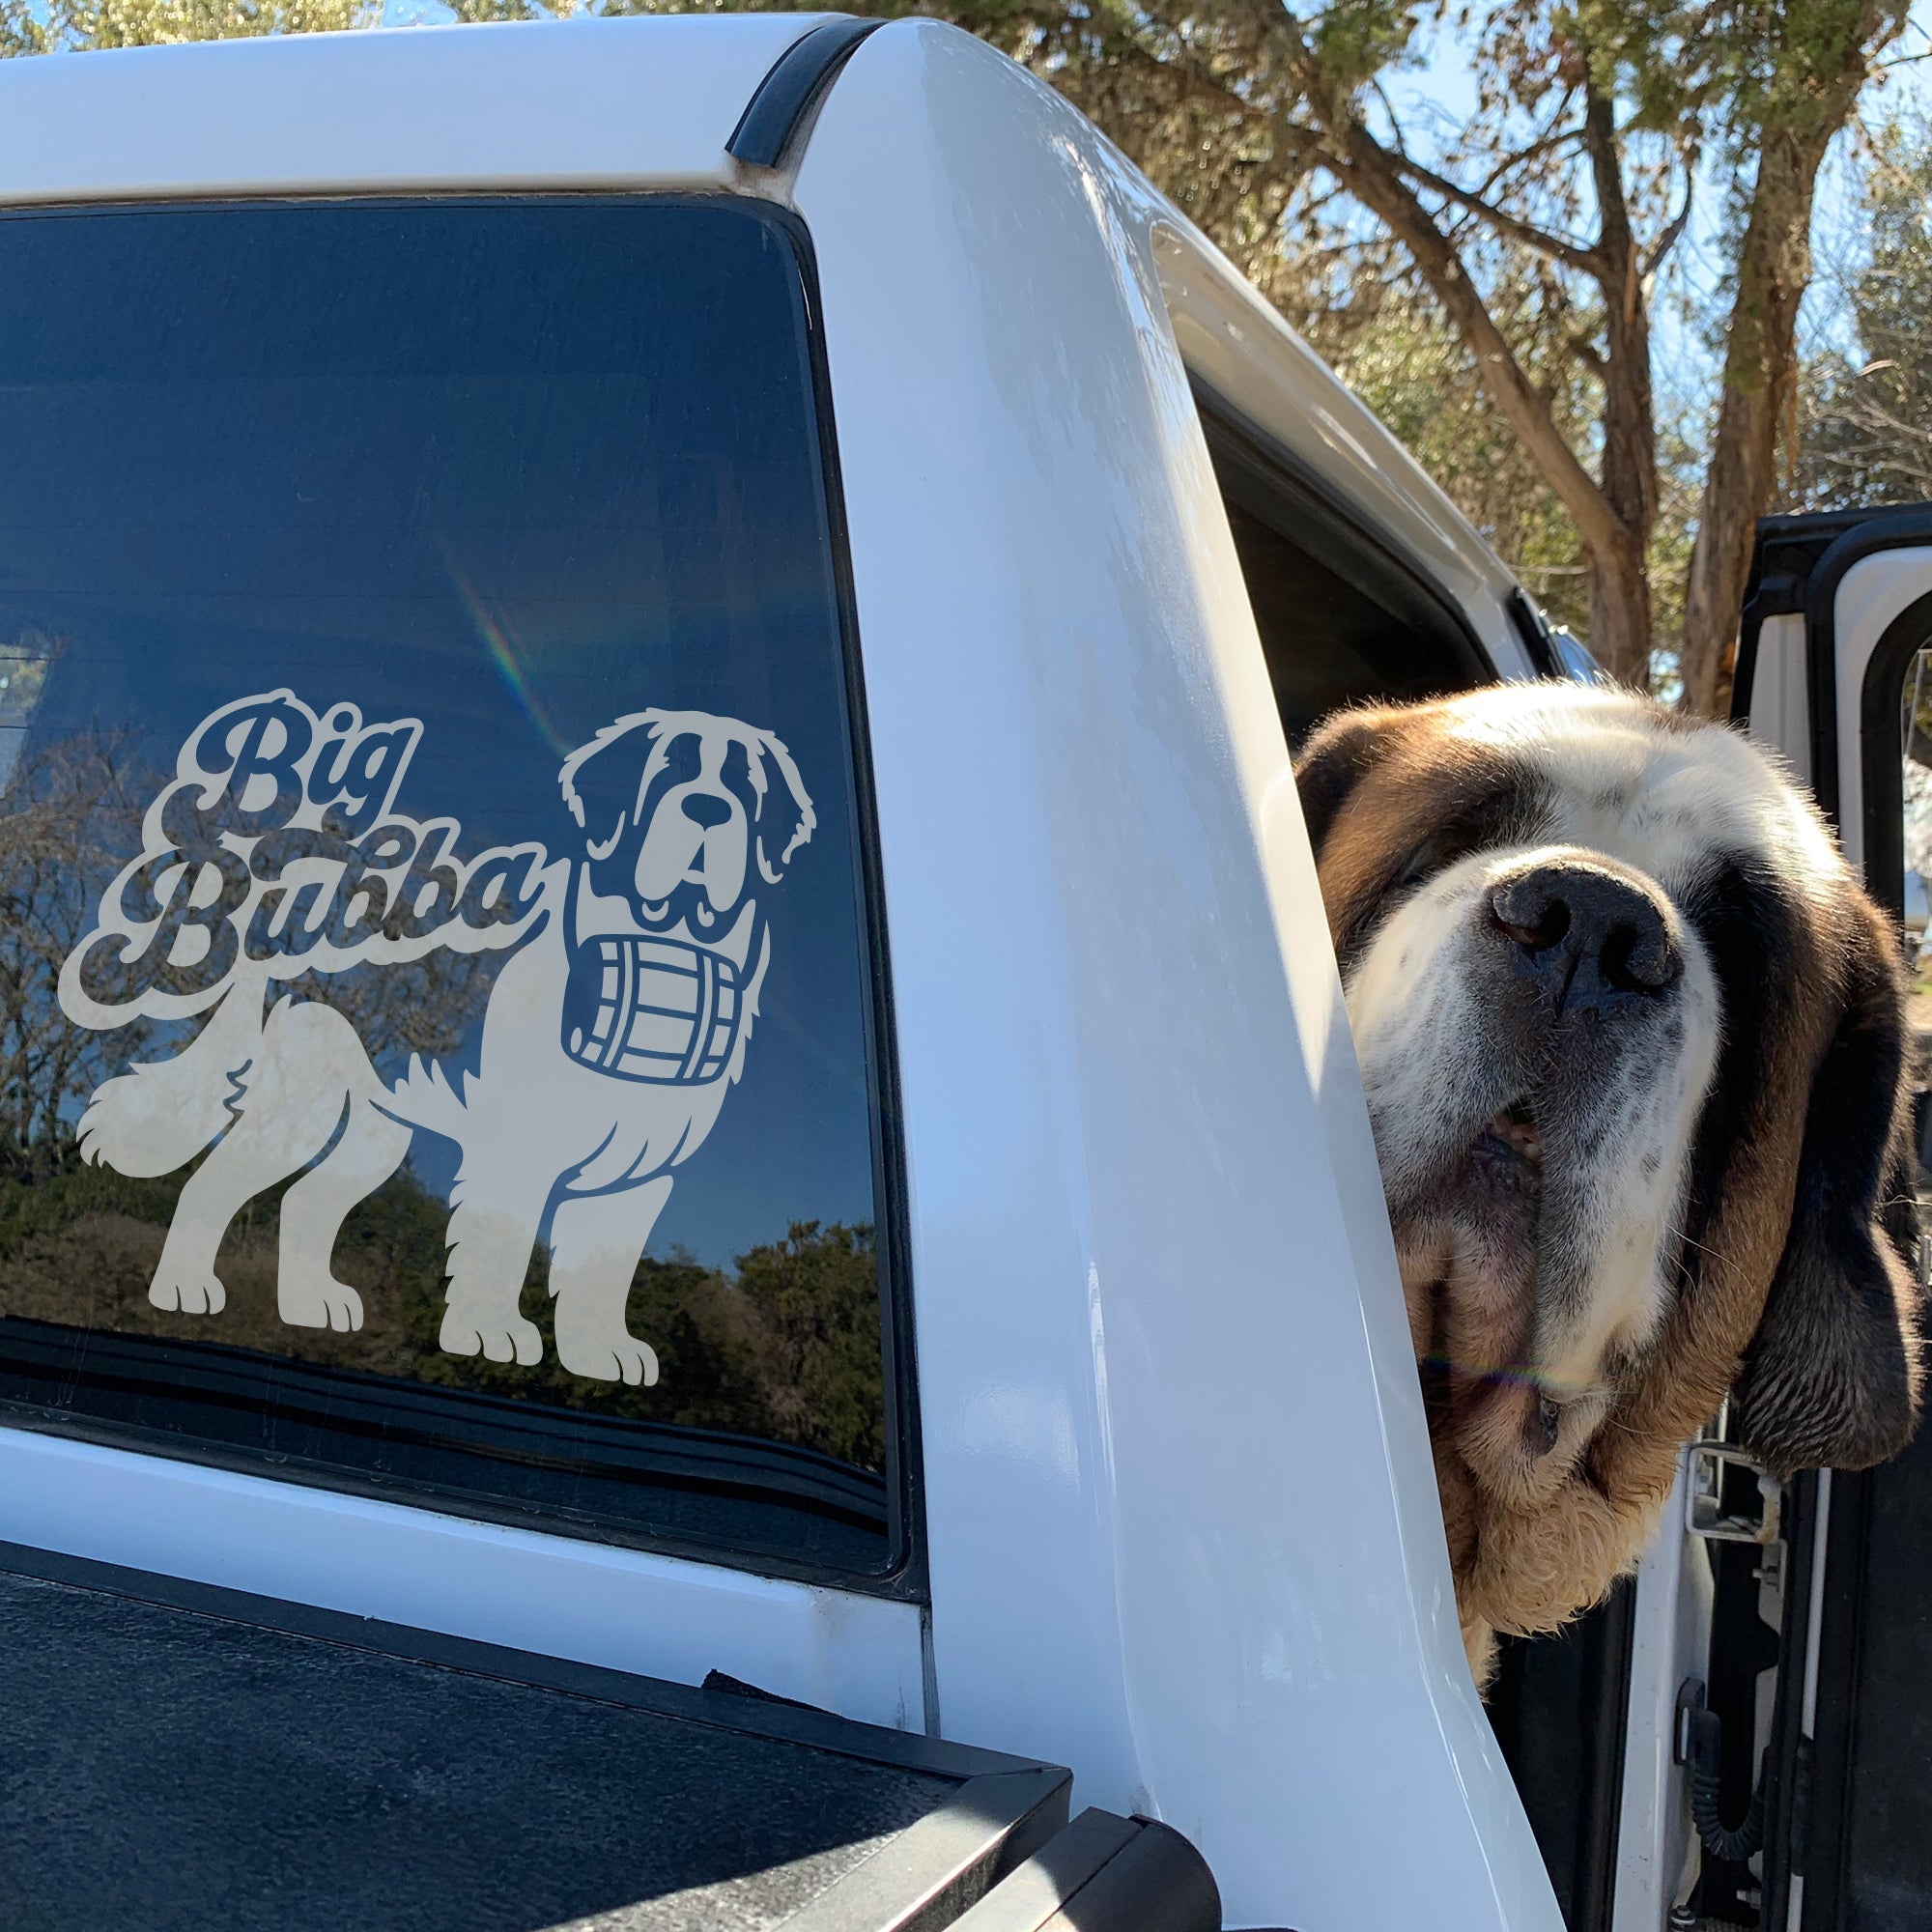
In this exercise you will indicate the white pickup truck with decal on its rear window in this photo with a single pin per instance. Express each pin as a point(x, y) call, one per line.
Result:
point(668, 1019)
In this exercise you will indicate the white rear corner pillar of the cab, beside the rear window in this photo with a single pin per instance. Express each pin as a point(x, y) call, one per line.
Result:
point(1210, 1577)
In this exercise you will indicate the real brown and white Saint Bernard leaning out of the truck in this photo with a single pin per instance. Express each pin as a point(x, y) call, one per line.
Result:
point(1635, 1056)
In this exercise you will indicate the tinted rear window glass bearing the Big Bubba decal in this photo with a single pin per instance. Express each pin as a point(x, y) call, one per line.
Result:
point(438, 973)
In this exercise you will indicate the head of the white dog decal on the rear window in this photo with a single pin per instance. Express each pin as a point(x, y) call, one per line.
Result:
point(685, 814)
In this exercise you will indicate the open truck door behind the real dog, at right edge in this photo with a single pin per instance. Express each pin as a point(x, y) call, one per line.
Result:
point(1819, 1641)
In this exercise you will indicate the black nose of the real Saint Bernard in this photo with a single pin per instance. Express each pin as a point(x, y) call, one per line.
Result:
point(1585, 936)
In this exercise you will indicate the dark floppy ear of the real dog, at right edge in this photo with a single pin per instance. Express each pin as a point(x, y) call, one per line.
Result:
point(1833, 1375)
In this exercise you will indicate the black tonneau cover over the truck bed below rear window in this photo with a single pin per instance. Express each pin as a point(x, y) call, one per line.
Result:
point(177, 1757)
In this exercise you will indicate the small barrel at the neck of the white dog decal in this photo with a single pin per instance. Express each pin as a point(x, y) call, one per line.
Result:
point(652, 1009)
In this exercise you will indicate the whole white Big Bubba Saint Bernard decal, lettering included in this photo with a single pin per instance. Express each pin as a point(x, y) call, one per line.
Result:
point(611, 1037)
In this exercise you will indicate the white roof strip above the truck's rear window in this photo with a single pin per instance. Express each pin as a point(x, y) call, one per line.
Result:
point(571, 103)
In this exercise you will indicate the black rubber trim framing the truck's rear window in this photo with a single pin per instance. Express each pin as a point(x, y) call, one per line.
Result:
point(905, 1574)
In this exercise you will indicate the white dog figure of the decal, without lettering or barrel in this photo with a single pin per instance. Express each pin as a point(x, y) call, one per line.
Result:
point(277, 1091)
